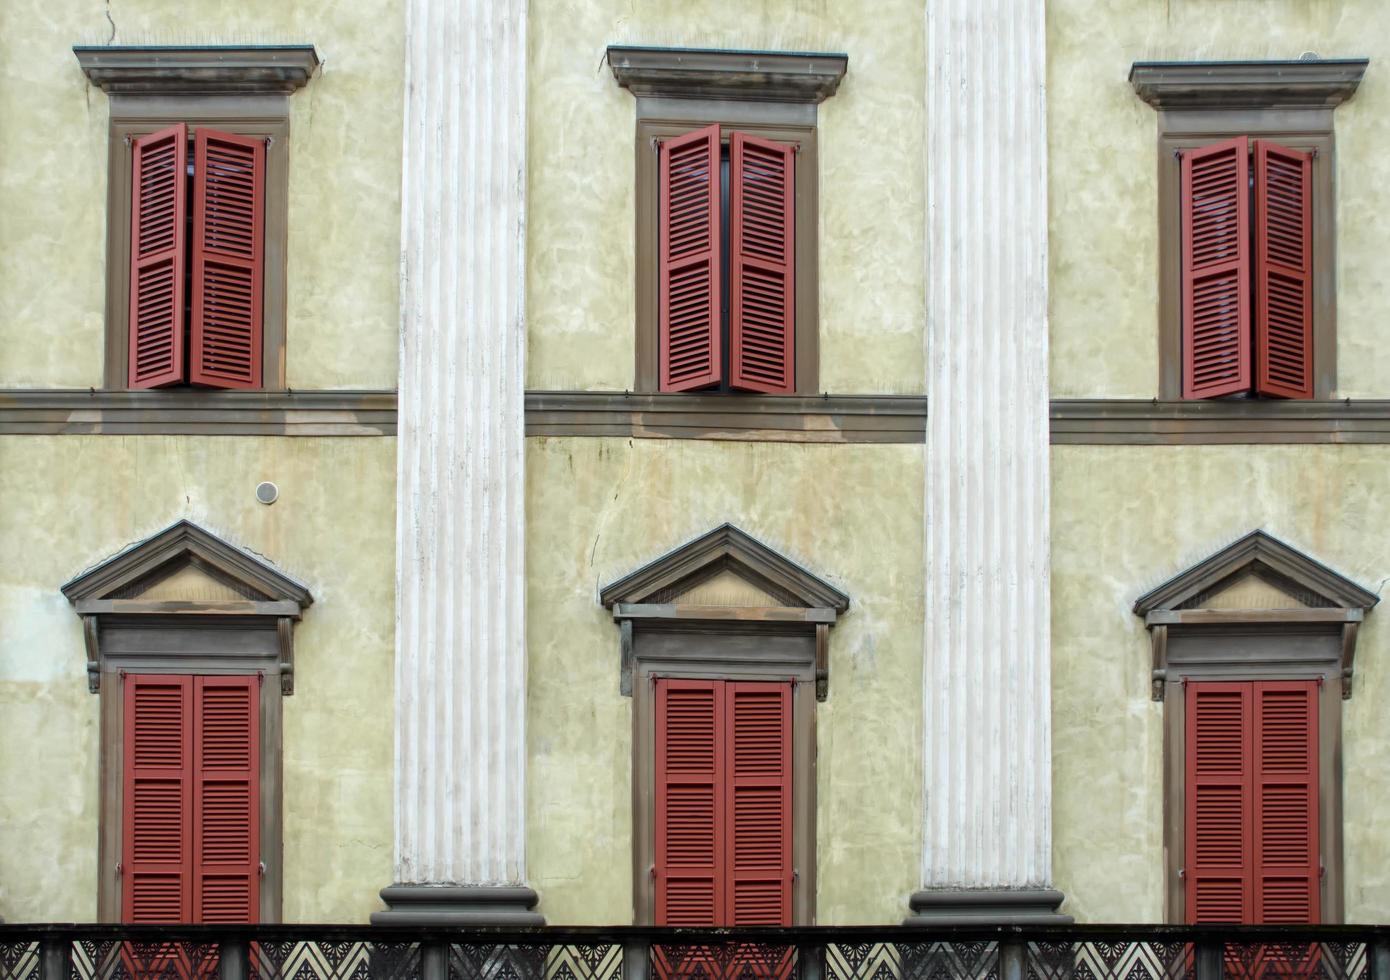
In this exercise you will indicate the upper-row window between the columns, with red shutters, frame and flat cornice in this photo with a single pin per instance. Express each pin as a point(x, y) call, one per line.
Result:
point(726, 218)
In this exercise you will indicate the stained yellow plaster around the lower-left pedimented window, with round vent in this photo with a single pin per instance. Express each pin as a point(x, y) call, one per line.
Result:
point(76, 501)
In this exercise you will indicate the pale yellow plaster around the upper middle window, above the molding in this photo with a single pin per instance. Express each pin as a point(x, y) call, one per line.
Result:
point(580, 287)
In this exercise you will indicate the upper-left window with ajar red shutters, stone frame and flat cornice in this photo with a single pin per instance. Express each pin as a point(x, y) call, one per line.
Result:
point(197, 268)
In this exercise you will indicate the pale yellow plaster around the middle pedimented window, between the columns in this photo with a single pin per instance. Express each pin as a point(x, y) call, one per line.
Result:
point(598, 509)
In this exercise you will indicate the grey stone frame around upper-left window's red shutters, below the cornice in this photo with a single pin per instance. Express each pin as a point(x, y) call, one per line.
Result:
point(245, 116)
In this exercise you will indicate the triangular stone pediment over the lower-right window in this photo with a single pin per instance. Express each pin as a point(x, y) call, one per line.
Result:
point(1257, 573)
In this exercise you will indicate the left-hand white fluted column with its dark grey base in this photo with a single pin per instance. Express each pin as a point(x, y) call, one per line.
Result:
point(461, 579)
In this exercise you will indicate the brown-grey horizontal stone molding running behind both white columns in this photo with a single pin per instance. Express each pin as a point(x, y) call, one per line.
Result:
point(828, 419)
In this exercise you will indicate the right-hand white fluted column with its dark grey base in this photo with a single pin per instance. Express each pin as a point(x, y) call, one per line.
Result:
point(988, 749)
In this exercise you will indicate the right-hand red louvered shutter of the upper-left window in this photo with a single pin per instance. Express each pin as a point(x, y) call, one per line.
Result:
point(229, 259)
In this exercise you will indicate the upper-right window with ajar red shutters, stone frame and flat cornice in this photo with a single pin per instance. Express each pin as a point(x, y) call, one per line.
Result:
point(1248, 224)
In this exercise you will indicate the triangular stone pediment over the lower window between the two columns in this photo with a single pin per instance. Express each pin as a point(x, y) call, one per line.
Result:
point(725, 568)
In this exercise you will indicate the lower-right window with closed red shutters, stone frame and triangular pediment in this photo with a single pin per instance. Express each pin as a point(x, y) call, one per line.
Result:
point(1252, 657)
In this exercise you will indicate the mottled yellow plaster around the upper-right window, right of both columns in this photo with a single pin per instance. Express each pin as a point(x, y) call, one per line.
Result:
point(1104, 187)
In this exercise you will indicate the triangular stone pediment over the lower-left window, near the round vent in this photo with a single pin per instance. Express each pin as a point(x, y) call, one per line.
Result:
point(190, 565)
